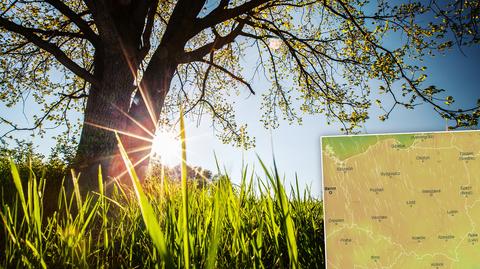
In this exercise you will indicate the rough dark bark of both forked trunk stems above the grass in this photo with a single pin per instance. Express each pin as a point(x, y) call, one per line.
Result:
point(124, 43)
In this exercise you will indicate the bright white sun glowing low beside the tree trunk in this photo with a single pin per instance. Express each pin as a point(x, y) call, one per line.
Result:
point(166, 147)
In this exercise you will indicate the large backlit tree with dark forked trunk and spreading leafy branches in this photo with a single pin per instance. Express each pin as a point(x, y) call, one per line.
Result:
point(124, 62)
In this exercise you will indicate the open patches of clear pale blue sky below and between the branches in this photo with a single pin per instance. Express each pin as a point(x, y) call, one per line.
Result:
point(297, 148)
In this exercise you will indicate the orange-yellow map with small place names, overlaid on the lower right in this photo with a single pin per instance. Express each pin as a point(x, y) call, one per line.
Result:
point(402, 200)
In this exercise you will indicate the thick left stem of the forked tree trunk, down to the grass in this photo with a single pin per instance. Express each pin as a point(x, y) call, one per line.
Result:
point(118, 53)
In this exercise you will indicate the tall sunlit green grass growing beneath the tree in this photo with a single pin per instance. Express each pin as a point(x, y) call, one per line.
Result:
point(170, 225)
